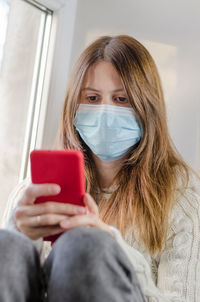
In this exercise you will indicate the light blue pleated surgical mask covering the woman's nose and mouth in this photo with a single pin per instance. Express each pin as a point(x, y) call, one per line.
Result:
point(109, 131)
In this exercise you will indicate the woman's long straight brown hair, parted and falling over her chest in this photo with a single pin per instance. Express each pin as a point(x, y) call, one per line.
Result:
point(148, 179)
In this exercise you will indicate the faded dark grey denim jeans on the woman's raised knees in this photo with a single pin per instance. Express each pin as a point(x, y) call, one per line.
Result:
point(84, 265)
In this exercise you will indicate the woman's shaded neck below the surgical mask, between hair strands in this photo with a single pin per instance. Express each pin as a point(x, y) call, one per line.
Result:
point(107, 170)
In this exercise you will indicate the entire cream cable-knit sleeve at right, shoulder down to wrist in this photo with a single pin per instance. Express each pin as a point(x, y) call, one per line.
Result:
point(178, 278)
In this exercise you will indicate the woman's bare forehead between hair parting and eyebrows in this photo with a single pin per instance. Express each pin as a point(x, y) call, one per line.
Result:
point(102, 75)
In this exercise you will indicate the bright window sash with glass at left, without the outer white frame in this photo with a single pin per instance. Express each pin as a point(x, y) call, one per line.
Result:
point(24, 41)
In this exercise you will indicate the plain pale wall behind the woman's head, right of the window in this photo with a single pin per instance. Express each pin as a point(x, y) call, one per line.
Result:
point(170, 30)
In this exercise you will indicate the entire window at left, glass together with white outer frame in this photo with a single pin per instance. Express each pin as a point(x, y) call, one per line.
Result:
point(33, 76)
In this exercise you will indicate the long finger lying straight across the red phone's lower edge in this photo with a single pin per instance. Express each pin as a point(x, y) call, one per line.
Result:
point(49, 207)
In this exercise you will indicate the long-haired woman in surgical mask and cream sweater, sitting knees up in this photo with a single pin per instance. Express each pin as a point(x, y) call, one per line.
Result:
point(142, 205)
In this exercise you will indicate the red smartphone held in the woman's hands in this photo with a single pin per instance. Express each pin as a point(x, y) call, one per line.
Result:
point(62, 167)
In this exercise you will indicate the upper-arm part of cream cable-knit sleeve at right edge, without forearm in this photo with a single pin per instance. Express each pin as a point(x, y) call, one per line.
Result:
point(179, 268)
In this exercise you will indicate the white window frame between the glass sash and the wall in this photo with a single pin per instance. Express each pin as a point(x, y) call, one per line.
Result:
point(55, 78)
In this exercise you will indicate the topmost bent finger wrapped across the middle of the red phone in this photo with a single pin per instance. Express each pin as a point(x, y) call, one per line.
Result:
point(36, 190)
